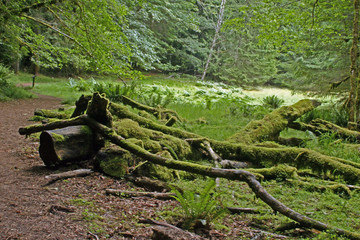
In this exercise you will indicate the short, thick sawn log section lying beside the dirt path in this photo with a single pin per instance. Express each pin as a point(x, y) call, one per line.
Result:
point(70, 144)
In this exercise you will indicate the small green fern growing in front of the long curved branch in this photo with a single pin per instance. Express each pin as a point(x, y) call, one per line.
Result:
point(200, 209)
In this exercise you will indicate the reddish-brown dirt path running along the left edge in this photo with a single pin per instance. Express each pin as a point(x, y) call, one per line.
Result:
point(24, 204)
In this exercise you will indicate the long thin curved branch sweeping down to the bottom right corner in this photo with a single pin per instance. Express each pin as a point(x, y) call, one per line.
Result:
point(240, 175)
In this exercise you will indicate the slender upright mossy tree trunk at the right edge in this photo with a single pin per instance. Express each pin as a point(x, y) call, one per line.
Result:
point(354, 71)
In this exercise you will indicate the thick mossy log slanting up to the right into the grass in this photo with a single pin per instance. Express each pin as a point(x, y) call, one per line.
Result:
point(269, 128)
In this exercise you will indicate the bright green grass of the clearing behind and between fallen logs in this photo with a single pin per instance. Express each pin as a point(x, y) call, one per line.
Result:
point(218, 111)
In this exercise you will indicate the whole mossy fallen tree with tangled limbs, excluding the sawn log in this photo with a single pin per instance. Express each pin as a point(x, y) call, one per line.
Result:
point(142, 137)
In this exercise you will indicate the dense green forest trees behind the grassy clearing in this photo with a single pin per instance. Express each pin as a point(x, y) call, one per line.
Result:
point(301, 44)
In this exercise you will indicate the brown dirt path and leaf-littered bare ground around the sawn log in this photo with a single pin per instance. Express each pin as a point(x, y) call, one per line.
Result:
point(70, 209)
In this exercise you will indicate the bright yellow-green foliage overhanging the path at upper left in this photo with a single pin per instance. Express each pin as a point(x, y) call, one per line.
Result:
point(81, 34)
